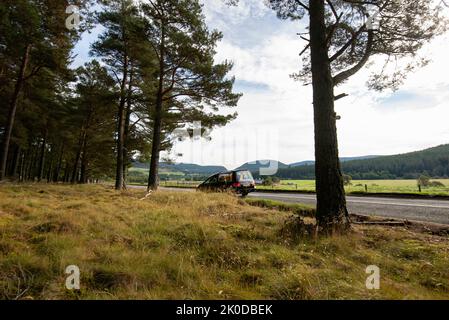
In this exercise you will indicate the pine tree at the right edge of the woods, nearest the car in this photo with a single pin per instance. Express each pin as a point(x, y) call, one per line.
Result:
point(189, 85)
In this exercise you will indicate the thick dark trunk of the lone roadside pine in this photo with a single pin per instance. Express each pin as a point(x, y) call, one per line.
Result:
point(332, 214)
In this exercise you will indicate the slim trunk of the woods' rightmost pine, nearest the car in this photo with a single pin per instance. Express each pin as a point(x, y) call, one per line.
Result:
point(157, 127)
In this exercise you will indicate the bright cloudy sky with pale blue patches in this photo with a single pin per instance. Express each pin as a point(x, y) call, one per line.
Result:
point(276, 114)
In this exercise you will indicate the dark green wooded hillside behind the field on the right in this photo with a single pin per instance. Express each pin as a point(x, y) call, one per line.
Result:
point(433, 162)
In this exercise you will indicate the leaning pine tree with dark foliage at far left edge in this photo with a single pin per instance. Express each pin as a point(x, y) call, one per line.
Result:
point(33, 40)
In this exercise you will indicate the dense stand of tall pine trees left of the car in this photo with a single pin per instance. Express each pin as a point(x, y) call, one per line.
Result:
point(152, 71)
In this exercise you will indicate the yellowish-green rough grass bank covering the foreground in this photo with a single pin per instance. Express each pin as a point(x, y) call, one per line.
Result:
point(200, 246)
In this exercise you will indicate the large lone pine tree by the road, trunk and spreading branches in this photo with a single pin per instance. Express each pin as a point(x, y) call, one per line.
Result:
point(343, 36)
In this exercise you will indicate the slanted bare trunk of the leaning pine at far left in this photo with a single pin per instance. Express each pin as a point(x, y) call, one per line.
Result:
point(12, 111)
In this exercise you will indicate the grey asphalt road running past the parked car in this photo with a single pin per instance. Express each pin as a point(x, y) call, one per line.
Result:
point(421, 210)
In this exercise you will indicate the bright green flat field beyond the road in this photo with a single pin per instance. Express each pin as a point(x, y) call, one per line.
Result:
point(357, 186)
